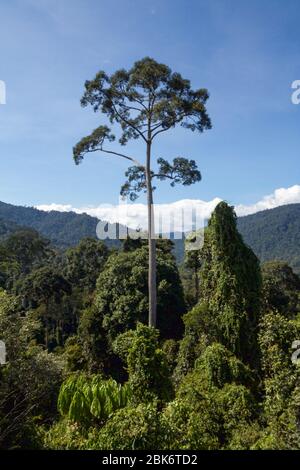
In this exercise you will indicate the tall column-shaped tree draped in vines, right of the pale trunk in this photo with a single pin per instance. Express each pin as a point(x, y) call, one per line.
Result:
point(230, 284)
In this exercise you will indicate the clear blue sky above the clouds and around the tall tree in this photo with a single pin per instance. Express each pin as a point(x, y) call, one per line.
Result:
point(246, 53)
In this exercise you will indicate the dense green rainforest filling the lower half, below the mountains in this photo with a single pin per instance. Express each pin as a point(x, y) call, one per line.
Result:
point(85, 371)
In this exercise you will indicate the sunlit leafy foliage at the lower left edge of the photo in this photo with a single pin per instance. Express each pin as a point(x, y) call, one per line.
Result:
point(29, 381)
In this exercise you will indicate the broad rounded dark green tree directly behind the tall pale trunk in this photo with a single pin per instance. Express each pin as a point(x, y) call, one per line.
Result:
point(122, 297)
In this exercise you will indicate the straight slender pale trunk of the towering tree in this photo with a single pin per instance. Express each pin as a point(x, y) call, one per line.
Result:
point(151, 244)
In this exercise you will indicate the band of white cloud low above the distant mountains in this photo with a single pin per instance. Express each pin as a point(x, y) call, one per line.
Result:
point(135, 215)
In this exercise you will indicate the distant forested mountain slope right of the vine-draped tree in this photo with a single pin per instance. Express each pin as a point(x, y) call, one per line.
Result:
point(274, 234)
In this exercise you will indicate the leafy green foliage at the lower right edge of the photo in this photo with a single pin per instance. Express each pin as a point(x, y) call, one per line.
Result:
point(281, 379)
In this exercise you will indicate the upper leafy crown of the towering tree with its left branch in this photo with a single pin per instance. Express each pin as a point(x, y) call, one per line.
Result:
point(146, 100)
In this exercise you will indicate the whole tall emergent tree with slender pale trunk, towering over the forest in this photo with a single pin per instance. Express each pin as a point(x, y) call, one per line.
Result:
point(145, 101)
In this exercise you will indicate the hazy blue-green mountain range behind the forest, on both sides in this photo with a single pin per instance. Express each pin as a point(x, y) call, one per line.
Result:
point(272, 234)
